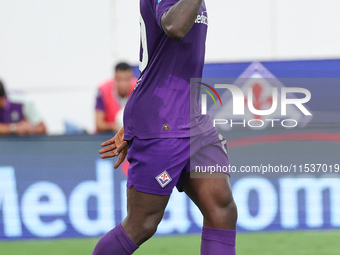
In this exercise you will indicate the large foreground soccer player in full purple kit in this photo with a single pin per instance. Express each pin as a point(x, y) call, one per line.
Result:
point(165, 136)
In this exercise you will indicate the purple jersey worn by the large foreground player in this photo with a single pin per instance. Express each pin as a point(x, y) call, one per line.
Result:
point(159, 107)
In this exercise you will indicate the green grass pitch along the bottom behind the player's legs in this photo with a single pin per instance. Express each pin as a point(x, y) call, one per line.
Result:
point(280, 243)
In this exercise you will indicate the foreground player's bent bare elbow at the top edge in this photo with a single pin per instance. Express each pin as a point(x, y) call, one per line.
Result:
point(180, 18)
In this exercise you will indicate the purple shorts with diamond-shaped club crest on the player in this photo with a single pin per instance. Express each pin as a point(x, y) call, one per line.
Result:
point(158, 165)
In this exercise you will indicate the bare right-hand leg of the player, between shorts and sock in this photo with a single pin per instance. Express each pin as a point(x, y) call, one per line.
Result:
point(214, 198)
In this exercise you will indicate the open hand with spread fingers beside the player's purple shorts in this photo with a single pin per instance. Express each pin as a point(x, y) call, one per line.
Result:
point(114, 147)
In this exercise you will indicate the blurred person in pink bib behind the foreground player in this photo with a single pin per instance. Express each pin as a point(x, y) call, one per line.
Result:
point(112, 97)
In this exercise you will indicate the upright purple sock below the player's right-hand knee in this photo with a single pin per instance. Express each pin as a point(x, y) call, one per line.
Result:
point(218, 241)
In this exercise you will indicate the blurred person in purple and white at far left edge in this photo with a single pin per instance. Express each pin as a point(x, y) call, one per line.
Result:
point(18, 114)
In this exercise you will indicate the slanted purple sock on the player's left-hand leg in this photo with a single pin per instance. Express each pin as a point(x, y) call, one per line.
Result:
point(115, 242)
